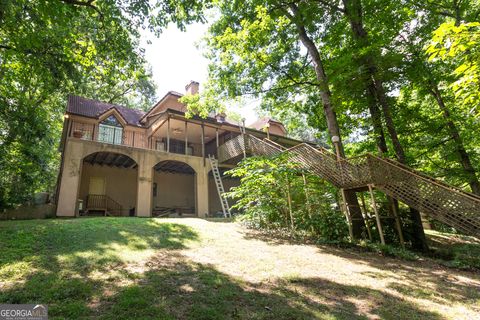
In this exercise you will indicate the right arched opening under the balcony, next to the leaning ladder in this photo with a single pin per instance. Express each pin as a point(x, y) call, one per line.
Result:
point(173, 189)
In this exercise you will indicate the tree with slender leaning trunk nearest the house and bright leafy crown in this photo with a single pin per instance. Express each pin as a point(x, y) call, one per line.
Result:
point(255, 49)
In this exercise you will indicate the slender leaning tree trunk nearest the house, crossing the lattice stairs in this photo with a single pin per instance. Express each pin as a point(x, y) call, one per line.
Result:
point(358, 223)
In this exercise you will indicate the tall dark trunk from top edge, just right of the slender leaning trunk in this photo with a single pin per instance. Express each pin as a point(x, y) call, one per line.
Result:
point(353, 11)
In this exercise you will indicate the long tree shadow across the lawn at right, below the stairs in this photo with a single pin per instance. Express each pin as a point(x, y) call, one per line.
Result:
point(422, 279)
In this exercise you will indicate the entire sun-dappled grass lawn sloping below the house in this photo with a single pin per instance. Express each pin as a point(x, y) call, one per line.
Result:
point(130, 268)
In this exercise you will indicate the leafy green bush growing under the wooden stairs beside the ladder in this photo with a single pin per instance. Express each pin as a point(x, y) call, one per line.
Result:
point(274, 195)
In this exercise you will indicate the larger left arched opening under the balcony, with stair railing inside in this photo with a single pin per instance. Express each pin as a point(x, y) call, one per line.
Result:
point(108, 185)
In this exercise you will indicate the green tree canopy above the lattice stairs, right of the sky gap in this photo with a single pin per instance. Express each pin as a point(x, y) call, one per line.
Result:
point(255, 50)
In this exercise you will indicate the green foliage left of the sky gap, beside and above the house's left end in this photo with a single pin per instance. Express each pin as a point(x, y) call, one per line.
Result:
point(49, 49)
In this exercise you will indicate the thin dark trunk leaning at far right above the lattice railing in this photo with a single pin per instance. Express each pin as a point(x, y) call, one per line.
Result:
point(465, 161)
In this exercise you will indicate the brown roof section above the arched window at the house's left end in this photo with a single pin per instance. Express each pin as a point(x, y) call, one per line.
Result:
point(94, 109)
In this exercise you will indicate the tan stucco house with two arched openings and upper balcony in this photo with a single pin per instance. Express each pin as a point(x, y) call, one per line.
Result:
point(124, 161)
